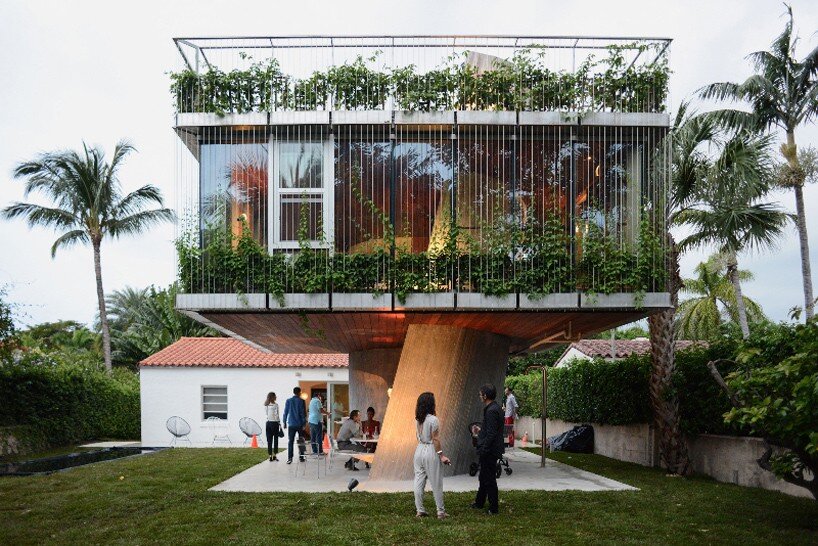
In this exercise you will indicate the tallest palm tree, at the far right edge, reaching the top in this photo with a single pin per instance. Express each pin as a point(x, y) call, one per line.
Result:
point(784, 94)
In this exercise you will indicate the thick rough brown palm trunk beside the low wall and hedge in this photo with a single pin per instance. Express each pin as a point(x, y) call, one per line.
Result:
point(665, 404)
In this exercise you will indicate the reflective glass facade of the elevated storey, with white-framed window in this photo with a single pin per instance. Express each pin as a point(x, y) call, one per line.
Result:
point(486, 209)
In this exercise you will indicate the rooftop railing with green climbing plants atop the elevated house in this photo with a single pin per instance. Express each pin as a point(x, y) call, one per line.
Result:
point(421, 73)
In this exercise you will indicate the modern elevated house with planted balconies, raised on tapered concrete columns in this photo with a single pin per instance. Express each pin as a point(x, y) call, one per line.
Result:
point(426, 204)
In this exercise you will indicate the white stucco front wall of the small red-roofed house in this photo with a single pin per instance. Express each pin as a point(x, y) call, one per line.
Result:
point(168, 391)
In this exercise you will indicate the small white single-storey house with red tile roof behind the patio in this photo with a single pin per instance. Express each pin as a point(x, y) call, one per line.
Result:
point(196, 378)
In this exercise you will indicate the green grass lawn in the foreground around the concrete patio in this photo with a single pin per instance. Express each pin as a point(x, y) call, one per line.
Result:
point(163, 498)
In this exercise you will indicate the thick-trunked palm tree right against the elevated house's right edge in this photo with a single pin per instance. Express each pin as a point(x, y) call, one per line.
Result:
point(689, 140)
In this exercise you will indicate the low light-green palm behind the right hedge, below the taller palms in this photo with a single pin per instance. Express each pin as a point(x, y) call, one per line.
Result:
point(713, 301)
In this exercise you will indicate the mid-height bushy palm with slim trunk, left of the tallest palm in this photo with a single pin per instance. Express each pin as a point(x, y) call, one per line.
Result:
point(727, 210)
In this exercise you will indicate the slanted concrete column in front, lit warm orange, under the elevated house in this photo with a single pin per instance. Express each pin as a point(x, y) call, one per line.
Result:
point(452, 363)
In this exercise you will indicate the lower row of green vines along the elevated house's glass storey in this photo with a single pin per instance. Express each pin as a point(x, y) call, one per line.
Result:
point(534, 262)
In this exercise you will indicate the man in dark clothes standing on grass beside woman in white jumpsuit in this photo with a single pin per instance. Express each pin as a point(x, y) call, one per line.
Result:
point(489, 449)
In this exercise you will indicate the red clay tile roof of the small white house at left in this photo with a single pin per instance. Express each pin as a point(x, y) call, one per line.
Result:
point(229, 352)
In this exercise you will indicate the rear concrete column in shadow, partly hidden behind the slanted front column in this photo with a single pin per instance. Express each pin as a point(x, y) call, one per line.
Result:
point(371, 373)
